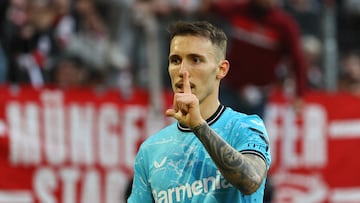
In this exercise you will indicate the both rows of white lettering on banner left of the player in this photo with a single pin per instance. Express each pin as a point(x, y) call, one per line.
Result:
point(77, 144)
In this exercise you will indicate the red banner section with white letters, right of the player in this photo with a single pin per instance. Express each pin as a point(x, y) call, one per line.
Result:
point(315, 152)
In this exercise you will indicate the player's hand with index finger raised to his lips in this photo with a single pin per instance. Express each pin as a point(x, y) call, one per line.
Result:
point(186, 108)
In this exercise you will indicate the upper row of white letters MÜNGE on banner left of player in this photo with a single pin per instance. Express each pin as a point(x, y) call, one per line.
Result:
point(80, 134)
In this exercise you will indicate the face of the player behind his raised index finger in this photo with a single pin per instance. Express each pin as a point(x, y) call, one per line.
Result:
point(197, 56)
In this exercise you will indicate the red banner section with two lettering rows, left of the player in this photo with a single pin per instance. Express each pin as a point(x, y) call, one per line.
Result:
point(76, 146)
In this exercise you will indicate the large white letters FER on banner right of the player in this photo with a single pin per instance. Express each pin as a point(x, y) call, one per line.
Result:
point(312, 136)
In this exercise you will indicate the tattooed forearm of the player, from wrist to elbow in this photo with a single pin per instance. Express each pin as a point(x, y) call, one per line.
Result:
point(244, 171)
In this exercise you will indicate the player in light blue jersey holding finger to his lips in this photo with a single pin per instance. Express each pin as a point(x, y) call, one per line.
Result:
point(212, 153)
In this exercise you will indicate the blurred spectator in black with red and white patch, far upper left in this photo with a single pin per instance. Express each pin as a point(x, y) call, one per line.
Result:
point(29, 41)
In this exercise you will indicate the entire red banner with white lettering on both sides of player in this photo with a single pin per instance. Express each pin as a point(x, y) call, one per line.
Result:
point(78, 146)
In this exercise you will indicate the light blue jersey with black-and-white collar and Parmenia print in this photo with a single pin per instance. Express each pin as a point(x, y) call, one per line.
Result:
point(173, 166)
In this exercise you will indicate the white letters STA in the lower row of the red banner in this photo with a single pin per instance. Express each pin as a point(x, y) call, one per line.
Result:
point(47, 181)
